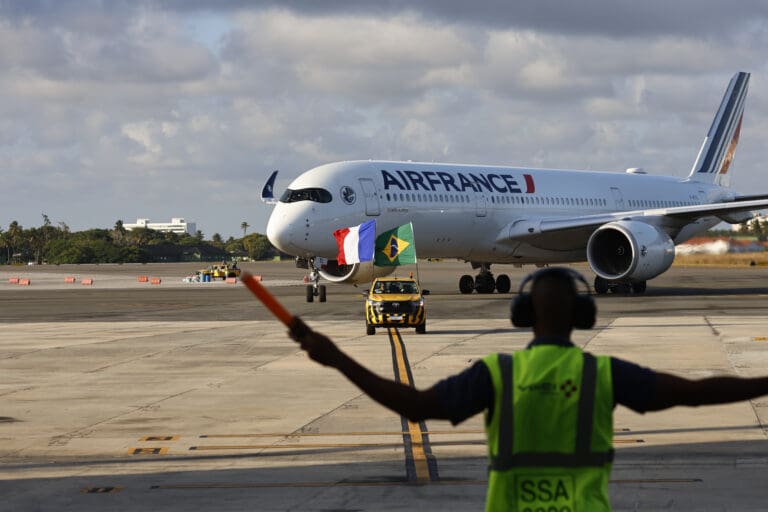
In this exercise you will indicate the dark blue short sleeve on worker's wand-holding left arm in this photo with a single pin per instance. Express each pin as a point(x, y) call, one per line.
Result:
point(465, 394)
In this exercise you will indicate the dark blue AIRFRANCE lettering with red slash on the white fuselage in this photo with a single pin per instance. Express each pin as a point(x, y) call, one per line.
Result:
point(441, 181)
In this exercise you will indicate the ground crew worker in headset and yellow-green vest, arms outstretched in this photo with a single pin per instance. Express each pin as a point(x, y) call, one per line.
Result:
point(549, 408)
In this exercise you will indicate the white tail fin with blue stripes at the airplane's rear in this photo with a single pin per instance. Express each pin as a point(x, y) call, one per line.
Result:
point(719, 145)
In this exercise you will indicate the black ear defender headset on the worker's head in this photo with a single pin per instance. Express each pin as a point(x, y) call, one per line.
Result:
point(584, 307)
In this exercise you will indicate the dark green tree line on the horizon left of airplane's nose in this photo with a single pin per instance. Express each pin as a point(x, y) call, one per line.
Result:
point(57, 244)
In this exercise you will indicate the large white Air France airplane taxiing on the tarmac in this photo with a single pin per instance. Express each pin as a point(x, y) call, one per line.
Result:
point(624, 224)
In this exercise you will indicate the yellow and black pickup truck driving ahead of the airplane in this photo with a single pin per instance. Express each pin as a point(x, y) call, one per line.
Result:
point(395, 302)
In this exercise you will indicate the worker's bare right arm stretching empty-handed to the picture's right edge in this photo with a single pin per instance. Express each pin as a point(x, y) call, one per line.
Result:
point(672, 390)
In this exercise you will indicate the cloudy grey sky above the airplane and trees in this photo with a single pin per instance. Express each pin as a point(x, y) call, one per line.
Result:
point(157, 109)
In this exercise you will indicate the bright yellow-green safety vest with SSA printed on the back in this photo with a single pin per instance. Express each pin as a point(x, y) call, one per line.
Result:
point(550, 438)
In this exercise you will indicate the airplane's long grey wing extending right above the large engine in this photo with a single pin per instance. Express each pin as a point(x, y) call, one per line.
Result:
point(532, 226)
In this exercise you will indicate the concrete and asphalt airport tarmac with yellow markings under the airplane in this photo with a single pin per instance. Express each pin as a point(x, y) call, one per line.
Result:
point(122, 395)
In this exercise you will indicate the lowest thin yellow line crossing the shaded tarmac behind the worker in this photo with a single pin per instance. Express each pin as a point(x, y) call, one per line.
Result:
point(383, 483)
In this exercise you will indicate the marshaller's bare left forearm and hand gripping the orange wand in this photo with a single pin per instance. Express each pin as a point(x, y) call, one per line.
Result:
point(407, 401)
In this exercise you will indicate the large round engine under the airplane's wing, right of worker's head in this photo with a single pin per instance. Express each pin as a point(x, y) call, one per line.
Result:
point(629, 250)
